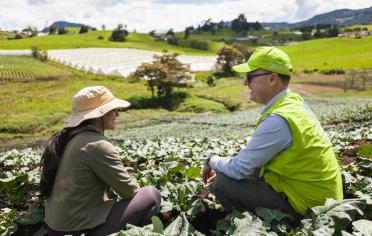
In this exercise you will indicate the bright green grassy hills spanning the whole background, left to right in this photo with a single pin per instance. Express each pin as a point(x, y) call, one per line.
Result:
point(318, 54)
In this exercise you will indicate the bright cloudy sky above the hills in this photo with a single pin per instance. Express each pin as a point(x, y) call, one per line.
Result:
point(161, 15)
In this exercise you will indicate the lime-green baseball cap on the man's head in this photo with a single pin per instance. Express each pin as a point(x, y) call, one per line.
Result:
point(266, 58)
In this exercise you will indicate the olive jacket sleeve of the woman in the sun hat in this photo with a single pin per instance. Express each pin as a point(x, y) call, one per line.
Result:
point(106, 165)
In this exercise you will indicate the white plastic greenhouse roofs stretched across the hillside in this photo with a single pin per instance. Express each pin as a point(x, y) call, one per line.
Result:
point(114, 61)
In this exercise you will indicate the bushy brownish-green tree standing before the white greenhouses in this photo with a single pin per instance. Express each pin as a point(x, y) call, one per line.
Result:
point(164, 73)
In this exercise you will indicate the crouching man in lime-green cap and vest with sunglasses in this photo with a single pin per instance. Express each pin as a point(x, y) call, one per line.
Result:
point(289, 162)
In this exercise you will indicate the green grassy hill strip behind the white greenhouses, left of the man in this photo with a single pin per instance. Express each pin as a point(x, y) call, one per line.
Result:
point(90, 39)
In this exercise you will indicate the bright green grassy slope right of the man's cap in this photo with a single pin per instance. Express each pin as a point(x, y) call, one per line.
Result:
point(331, 53)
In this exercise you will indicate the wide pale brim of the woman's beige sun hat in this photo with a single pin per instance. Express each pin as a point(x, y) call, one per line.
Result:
point(76, 118)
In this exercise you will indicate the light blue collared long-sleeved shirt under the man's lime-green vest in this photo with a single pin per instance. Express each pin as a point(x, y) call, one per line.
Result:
point(272, 136)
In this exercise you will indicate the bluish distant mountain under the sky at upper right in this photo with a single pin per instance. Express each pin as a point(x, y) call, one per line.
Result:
point(344, 17)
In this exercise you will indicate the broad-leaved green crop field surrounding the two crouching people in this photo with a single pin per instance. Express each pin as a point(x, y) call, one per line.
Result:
point(173, 164)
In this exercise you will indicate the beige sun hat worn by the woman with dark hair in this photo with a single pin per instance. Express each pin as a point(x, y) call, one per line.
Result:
point(93, 102)
